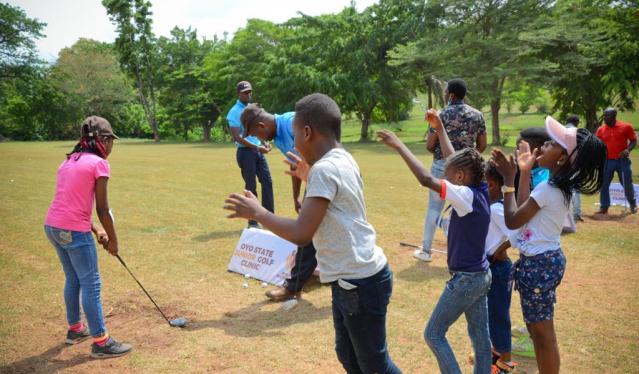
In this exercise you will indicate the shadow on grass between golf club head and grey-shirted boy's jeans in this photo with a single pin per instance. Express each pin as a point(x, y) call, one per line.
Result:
point(252, 321)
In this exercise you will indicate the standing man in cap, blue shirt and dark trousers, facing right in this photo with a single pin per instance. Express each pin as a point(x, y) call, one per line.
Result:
point(250, 151)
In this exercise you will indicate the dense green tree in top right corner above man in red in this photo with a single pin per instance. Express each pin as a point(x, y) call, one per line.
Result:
point(592, 56)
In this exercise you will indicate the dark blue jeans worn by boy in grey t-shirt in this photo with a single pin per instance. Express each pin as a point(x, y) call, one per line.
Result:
point(359, 318)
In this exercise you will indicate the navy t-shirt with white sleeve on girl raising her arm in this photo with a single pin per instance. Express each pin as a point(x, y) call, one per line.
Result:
point(468, 226)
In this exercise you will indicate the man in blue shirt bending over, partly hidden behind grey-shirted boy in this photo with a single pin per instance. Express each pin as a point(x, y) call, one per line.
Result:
point(278, 128)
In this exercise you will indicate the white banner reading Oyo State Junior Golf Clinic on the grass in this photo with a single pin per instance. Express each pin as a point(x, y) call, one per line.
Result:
point(264, 256)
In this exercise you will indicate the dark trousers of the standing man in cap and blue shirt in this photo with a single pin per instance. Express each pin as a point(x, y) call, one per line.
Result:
point(252, 164)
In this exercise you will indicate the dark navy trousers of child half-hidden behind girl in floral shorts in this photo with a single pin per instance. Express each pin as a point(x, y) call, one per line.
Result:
point(499, 305)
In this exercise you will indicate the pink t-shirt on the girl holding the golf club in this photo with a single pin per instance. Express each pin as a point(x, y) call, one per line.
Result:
point(75, 192)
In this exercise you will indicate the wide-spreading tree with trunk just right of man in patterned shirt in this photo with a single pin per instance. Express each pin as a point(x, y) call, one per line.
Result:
point(478, 41)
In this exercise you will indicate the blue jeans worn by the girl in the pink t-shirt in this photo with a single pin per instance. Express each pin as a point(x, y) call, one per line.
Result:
point(79, 259)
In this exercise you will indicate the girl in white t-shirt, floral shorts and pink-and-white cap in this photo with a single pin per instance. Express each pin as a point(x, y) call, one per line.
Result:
point(575, 158)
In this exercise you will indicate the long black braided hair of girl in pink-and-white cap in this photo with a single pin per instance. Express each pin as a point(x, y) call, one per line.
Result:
point(584, 174)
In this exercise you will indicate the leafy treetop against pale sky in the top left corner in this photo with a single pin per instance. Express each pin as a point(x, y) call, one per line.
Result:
point(17, 35)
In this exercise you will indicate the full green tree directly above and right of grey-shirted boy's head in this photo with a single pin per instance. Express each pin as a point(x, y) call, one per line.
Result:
point(362, 81)
